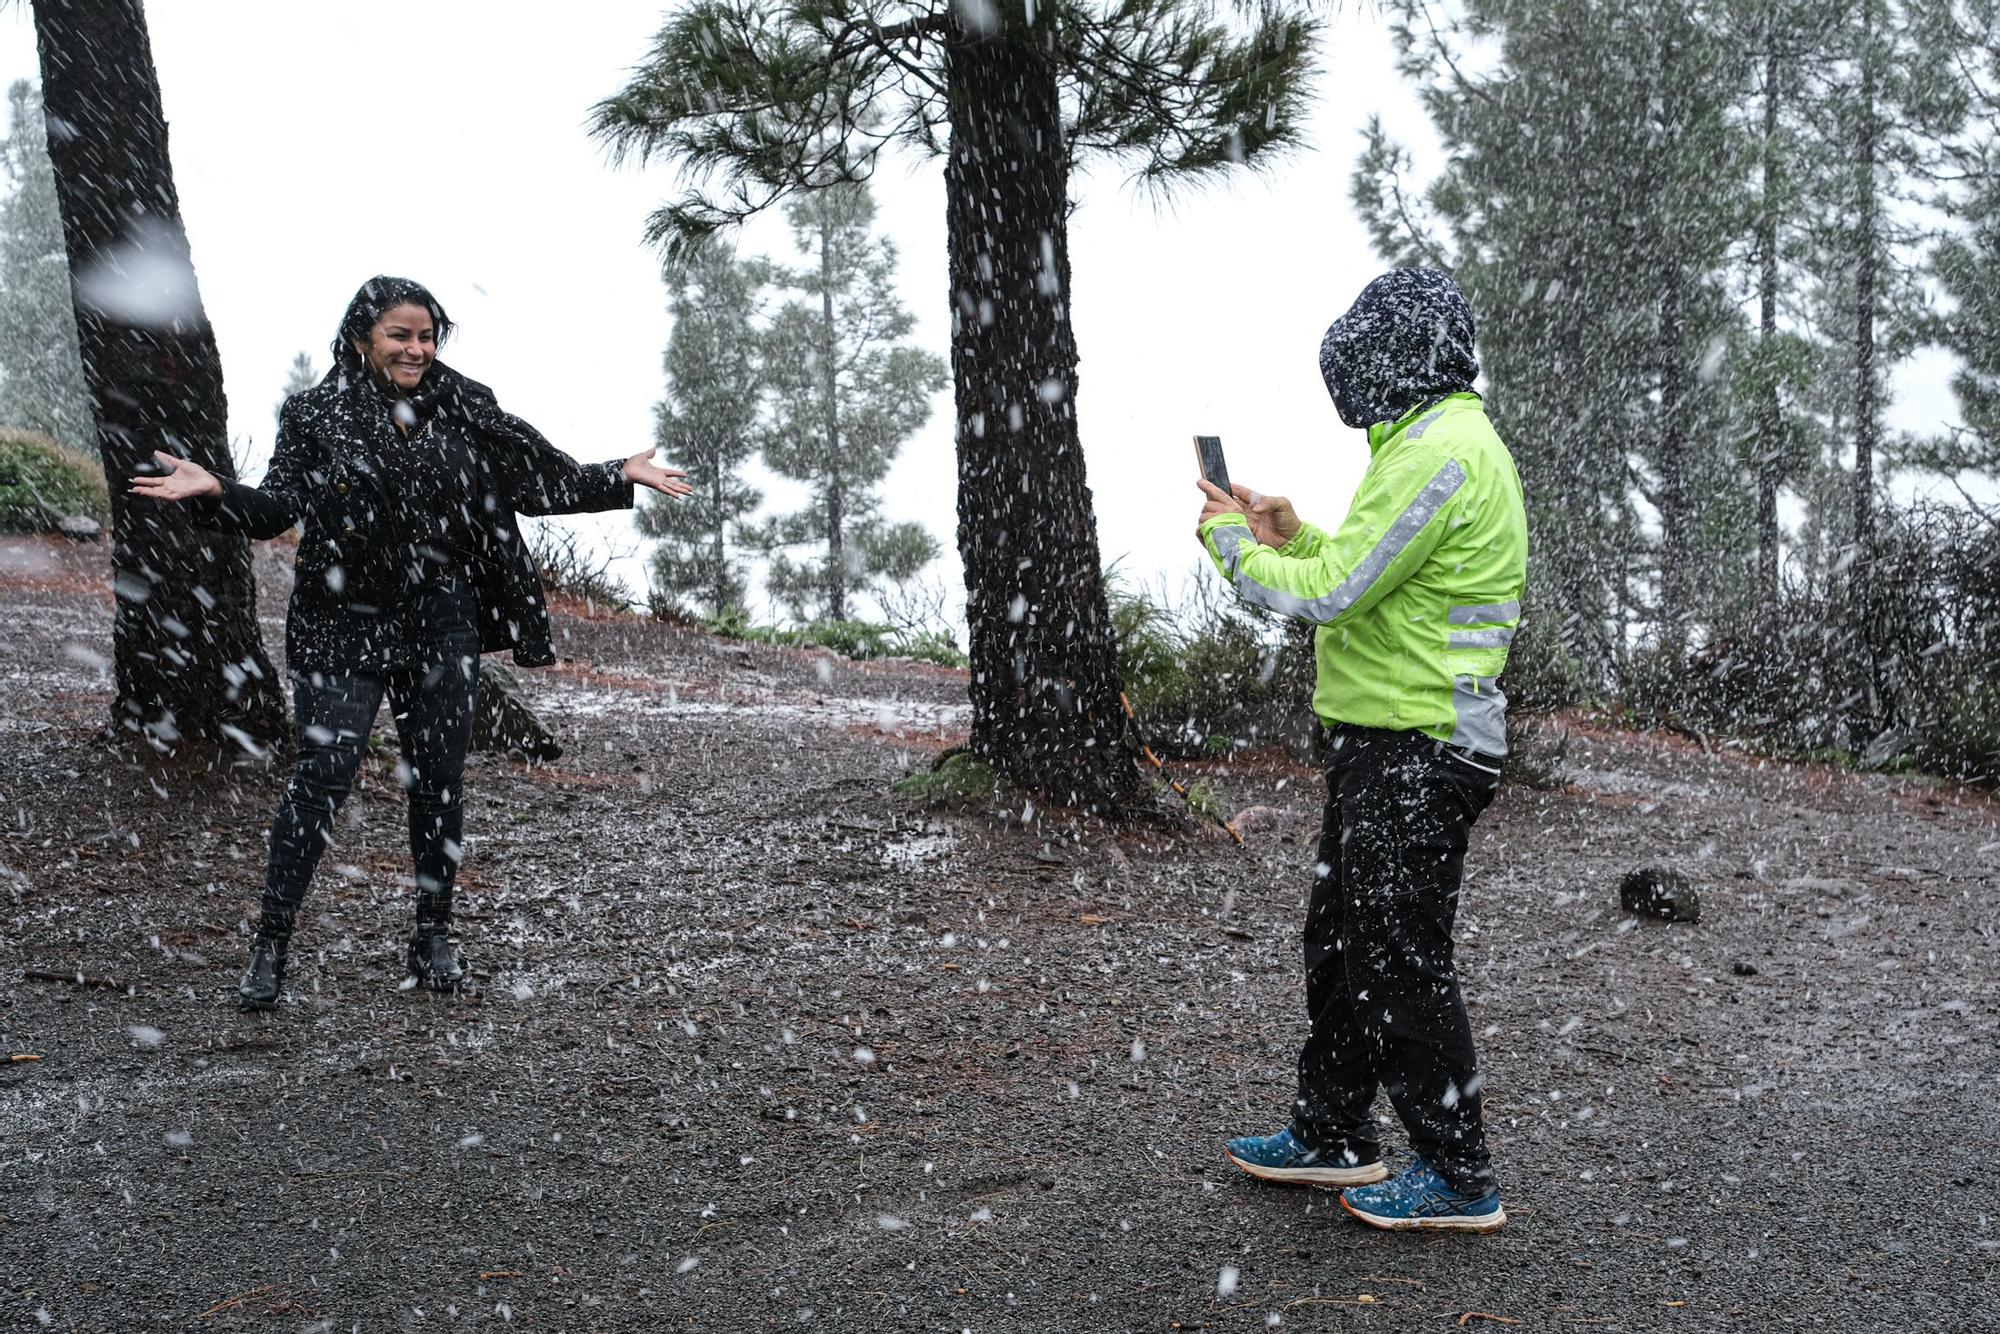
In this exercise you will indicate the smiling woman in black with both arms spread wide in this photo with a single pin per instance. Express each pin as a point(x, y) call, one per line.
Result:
point(407, 479)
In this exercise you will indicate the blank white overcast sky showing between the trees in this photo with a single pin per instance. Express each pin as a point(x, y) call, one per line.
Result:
point(445, 141)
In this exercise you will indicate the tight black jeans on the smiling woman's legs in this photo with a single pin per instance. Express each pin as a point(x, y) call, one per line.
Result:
point(431, 701)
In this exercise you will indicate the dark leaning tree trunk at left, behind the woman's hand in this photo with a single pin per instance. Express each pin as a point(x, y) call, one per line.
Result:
point(187, 647)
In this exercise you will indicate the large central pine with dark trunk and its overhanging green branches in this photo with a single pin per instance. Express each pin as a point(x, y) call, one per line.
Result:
point(777, 97)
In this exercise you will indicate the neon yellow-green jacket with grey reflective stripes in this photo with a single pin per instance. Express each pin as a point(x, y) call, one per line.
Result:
point(1417, 597)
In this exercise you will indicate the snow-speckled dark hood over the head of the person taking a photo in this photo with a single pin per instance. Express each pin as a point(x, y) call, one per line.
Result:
point(1405, 341)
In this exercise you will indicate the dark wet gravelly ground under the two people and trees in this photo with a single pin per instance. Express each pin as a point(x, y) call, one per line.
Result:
point(757, 1045)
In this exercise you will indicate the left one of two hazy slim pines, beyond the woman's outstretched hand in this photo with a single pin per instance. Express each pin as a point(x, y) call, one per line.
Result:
point(707, 425)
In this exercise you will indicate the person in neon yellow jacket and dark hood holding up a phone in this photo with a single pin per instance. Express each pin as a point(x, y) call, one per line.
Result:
point(1417, 597)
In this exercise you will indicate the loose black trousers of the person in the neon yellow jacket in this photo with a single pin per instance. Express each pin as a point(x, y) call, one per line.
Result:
point(1381, 985)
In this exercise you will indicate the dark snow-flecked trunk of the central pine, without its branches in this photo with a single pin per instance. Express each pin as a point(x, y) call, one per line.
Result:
point(1045, 669)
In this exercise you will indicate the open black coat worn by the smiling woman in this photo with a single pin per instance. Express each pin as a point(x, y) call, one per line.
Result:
point(337, 475)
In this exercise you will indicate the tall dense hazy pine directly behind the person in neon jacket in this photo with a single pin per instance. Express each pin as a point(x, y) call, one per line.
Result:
point(1591, 195)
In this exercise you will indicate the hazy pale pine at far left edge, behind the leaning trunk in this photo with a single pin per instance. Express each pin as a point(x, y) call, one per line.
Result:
point(41, 373)
